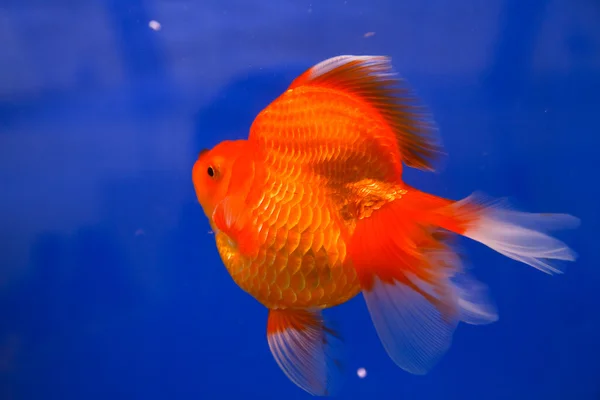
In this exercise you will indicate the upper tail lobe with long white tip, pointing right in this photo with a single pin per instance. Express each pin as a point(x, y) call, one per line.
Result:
point(519, 235)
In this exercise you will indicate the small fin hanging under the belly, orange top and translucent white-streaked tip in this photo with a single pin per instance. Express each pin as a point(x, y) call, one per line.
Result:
point(306, 350)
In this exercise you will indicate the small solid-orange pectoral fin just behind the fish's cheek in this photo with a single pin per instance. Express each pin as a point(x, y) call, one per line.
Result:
point(231, 218)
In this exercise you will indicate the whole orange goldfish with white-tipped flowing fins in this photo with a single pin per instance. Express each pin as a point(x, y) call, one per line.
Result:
point(311, 210)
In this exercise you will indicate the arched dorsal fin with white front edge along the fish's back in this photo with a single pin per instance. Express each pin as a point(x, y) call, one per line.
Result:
point(372, 80)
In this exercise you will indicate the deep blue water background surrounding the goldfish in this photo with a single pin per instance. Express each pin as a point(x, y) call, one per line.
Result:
point(111, 286)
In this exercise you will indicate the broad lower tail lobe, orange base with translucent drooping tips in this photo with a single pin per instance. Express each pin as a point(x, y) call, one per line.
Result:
point(405, 267)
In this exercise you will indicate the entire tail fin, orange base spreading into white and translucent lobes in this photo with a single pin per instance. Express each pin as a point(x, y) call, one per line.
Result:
point(413, 282)
